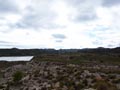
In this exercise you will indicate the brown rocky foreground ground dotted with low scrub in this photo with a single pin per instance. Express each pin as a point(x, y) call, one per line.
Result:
point(61, 76)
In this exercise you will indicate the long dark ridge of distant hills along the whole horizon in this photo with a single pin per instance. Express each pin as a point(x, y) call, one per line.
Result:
point(34, 52)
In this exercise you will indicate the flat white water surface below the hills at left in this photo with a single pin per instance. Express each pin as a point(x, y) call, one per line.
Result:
point(16, 58)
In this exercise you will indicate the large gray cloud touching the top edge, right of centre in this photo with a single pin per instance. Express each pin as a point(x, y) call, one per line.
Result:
point(84, 10)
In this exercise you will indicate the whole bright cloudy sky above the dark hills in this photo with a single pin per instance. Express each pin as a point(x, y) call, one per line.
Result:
point(59, 23)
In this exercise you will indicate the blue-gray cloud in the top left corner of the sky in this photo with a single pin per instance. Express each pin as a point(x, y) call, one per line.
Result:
point(7, 6)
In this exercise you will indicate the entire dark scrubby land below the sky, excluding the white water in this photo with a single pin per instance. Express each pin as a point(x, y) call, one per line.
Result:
point(86, 69)
